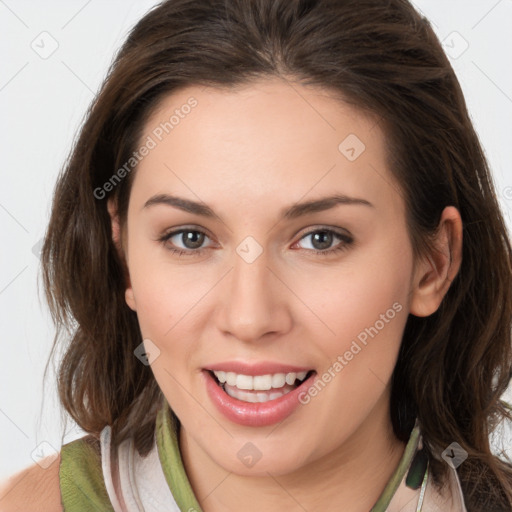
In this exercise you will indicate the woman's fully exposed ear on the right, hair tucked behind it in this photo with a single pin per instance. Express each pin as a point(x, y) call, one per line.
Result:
point(435, 272)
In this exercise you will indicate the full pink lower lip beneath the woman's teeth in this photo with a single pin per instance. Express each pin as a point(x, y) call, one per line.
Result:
point(259, 414)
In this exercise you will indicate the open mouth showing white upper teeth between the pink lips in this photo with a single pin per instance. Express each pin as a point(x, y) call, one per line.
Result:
point(259, 388)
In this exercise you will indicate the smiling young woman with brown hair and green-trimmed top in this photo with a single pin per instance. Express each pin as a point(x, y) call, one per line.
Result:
point(279, 253)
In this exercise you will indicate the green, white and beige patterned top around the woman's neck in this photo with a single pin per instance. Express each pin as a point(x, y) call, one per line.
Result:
point(93, 476)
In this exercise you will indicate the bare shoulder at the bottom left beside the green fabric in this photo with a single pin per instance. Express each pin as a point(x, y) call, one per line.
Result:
point(32, 489)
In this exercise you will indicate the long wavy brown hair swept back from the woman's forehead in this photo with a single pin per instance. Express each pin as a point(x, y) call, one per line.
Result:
point(382, 57)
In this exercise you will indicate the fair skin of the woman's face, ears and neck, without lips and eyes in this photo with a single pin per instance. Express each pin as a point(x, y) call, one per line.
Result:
point(249, 153)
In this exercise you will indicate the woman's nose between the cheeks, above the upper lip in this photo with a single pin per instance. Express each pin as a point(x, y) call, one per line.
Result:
point(254, 301)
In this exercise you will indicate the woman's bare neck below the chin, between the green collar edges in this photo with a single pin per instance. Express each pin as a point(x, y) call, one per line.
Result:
point(350, 478)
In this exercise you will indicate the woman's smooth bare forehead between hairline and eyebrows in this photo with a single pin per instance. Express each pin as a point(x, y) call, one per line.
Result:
point(269, 139)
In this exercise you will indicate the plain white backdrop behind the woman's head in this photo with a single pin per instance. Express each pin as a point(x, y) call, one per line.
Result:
point(54, 55)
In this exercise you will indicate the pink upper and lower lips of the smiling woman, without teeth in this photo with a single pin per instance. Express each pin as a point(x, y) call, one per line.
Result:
point(255, 414)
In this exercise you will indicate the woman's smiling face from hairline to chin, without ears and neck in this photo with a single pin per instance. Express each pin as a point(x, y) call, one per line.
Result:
point(292, 255)
